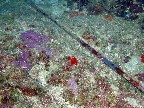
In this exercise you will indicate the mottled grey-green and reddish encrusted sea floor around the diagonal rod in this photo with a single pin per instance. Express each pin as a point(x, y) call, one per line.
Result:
point(71, 77)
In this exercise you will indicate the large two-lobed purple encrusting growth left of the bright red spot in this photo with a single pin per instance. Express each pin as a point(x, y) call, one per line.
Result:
point(32, 39)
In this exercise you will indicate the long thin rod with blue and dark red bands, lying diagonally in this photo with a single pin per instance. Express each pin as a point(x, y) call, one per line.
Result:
point(84, 44)
